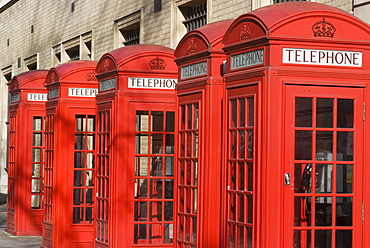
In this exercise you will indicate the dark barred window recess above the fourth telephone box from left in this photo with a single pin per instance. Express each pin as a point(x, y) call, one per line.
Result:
point(195, 16)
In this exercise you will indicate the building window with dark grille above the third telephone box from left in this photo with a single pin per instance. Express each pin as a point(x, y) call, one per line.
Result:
point(127, 30)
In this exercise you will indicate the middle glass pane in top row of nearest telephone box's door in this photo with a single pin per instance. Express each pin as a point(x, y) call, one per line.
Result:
point(324, 112)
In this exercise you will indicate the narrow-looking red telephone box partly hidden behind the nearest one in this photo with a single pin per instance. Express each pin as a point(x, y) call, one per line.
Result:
point(200, 93)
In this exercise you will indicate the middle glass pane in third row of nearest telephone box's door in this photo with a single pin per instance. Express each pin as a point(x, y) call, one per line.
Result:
point(324, 178)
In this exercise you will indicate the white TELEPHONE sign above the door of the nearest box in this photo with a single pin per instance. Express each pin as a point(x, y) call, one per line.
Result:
point(322, 57)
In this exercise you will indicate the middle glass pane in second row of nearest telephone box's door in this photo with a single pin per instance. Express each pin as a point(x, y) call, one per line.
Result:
point(324, 146)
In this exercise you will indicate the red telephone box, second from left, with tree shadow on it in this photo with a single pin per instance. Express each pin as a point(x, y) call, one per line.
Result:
point(70, 152)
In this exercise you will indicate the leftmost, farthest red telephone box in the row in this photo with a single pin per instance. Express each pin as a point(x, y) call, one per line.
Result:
point(25, 153)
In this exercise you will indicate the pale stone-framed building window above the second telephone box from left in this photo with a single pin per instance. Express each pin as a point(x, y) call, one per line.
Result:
point(78, 48)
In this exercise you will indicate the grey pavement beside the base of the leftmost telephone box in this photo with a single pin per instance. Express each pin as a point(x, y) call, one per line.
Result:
point(9, 241)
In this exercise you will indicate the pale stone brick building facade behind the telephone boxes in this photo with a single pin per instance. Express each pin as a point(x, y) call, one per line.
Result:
point(39, 34)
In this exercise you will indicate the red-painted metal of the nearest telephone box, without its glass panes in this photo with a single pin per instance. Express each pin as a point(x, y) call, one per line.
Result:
point(268, 51)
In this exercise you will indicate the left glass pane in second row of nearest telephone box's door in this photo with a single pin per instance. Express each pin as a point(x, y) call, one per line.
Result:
point(303, 145)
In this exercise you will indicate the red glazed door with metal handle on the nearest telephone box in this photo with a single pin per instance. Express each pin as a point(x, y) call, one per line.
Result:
point(324, 164)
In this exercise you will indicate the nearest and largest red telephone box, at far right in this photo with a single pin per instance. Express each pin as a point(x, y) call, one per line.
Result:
point(297, 77)
